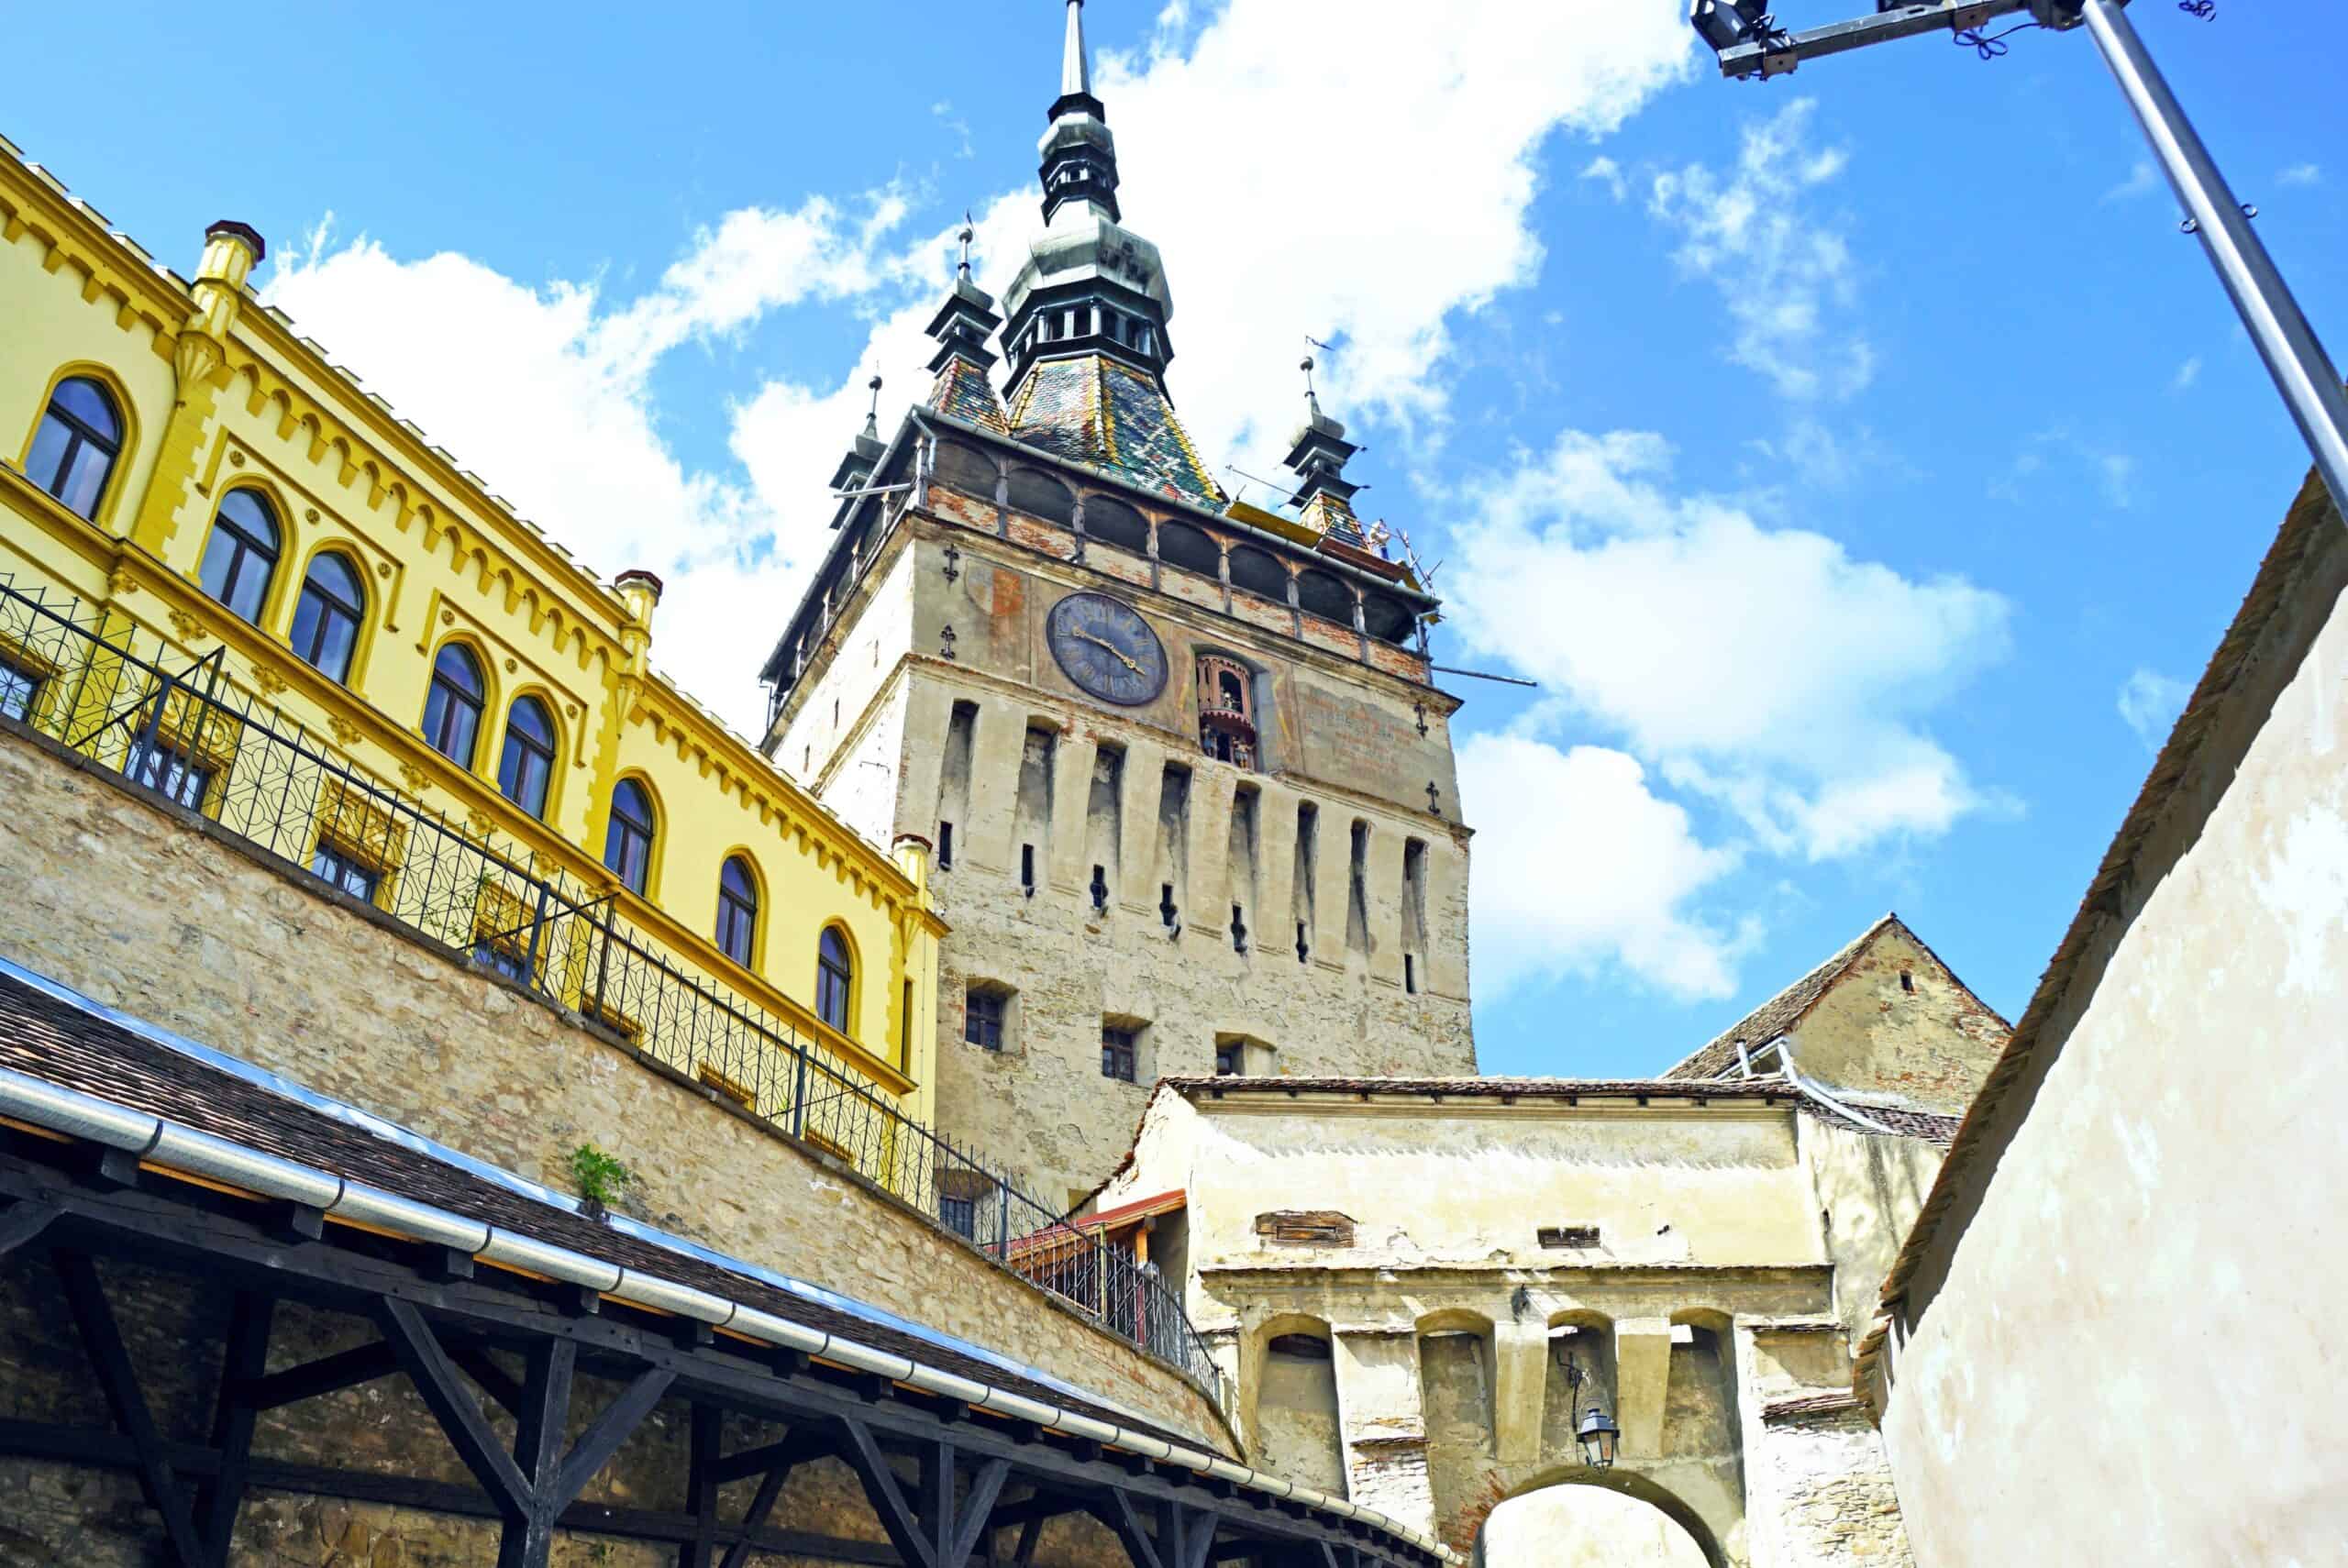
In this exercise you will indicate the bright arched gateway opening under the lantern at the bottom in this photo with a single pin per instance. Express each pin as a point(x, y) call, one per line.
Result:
point(1595, 1520)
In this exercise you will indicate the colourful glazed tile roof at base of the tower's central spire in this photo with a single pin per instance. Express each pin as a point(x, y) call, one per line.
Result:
point(1093, 410)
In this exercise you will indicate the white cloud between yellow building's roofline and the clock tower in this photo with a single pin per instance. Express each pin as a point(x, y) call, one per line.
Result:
point(450, 344)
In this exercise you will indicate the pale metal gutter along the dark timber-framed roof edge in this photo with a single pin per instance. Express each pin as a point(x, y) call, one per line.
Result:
point(196, 1154)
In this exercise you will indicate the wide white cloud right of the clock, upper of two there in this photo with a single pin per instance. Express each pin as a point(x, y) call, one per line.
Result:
point(1762, 668)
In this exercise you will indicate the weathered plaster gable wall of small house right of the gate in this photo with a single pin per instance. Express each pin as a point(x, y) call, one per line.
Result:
point(1924, 1043)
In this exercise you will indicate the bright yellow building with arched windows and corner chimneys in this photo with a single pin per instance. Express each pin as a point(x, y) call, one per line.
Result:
point(250, 586)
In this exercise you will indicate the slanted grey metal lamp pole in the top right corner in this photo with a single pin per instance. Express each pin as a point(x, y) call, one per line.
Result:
point(2260, 297)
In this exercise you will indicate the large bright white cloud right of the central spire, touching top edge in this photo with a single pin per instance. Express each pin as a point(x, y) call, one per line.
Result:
point(1466, 97)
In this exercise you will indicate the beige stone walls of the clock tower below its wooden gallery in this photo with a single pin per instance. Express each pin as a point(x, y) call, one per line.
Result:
point(1041, 785)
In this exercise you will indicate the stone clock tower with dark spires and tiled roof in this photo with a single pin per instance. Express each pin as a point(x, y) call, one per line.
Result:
point(1185, 776)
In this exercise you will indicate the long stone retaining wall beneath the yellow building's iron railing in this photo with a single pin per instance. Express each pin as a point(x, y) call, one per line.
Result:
point(147, 910)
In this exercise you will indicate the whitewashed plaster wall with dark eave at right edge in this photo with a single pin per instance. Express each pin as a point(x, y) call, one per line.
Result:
point(2152, 1236)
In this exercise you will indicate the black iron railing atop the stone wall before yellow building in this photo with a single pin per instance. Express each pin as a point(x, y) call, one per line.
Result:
point(182, 726)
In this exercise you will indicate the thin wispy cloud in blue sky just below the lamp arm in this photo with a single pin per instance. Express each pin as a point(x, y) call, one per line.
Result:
point(1786, 276)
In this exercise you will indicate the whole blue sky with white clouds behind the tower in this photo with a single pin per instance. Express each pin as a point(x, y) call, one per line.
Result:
point(1863, 464)
